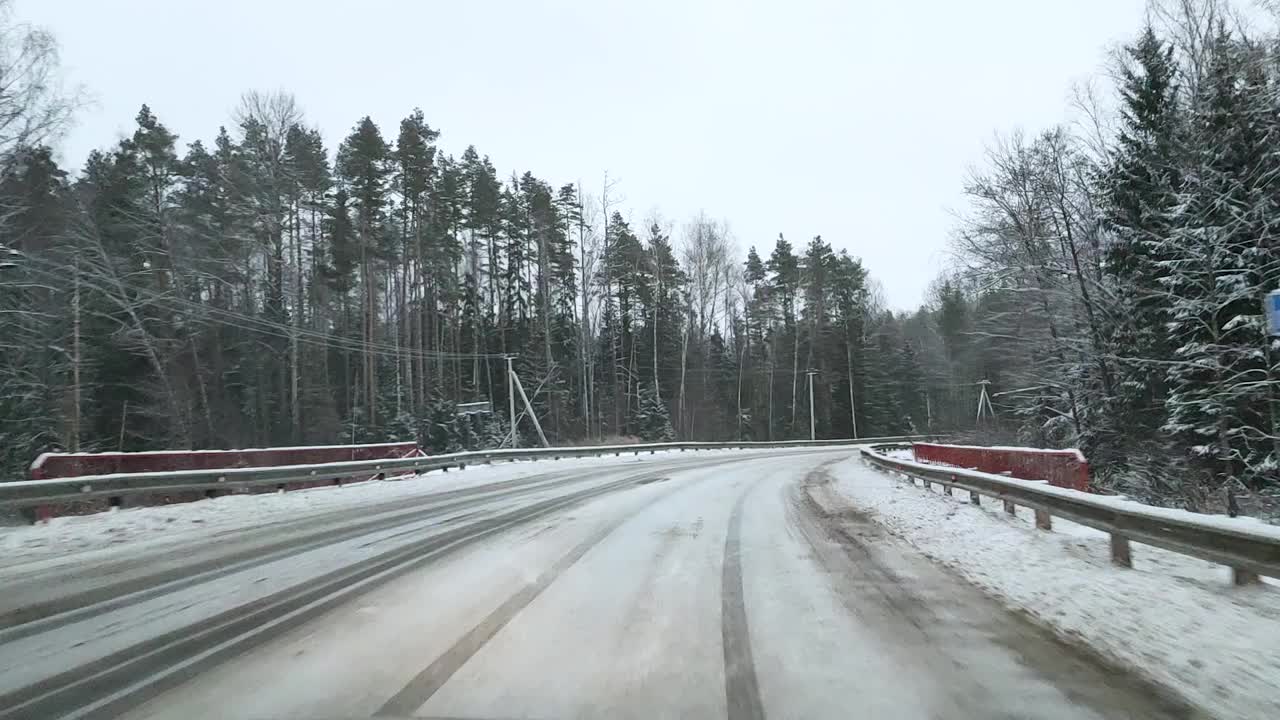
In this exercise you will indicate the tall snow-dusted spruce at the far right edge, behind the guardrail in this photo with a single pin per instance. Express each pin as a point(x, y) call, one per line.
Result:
point(1219, 261)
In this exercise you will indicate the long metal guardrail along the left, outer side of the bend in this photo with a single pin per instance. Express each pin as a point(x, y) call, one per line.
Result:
point(30, 494)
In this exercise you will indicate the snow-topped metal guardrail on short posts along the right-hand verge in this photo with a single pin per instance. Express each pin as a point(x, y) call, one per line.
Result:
point(1249, 554)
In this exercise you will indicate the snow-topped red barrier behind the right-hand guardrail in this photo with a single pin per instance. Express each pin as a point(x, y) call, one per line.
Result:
point(1062, 468)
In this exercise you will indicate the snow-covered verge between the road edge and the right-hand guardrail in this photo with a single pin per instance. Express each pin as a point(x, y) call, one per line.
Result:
point(1174, 619)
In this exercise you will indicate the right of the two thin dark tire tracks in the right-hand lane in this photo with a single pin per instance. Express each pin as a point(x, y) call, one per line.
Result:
point(742, 690)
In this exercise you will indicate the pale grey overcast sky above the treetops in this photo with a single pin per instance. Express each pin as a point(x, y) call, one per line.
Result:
point(851, 120)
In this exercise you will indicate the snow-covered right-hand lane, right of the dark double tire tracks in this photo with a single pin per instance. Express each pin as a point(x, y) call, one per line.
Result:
point(710, 594)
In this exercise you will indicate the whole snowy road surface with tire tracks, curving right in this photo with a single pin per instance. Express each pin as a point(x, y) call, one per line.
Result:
point(683, 586)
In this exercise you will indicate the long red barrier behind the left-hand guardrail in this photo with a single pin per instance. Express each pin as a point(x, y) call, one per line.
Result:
point(75, 464)
